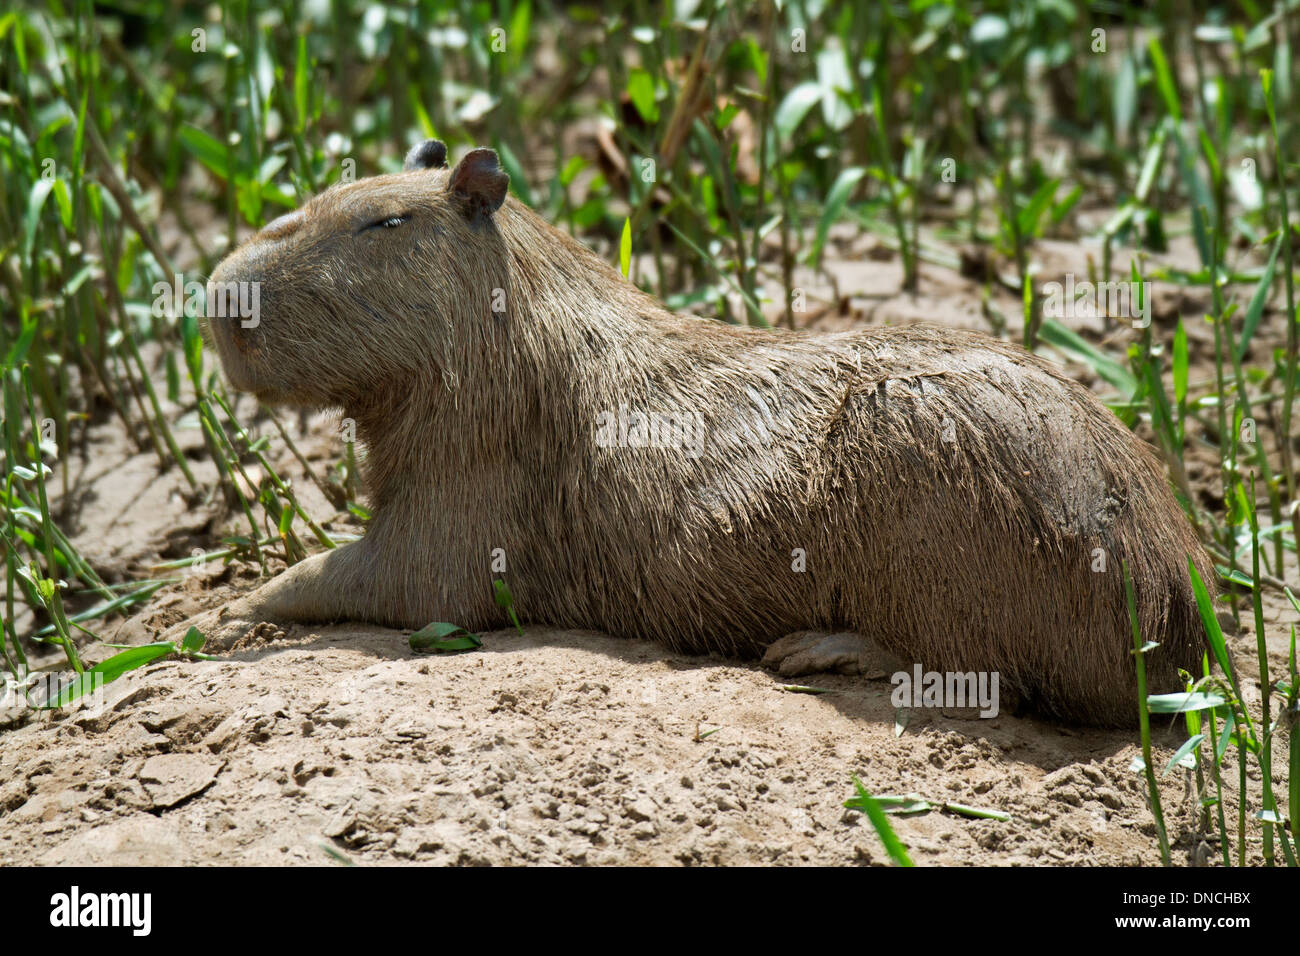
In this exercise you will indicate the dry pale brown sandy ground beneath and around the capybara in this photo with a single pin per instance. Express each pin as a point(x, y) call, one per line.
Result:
point(554, 747)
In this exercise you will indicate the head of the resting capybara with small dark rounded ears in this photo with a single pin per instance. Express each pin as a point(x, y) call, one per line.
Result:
point(363, 285)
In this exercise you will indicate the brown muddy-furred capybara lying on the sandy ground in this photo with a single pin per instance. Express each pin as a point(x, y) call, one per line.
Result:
point(528, 414)
